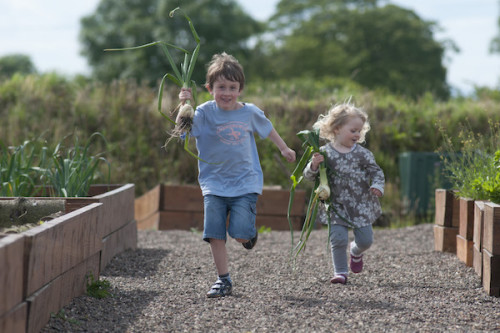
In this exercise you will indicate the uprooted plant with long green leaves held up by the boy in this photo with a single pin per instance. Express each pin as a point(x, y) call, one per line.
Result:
point(182, 78)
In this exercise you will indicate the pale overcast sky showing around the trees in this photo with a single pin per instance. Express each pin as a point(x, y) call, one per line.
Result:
point(47, 31)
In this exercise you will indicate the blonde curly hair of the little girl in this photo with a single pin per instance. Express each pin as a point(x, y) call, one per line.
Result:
point(337, 117)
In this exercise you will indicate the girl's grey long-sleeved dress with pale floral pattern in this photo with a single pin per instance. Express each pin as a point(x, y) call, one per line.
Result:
point(351, 198)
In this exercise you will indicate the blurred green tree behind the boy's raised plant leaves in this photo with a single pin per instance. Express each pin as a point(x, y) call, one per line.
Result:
point(221, 24)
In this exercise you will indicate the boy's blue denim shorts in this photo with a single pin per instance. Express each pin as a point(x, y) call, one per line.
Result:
point(242, 211)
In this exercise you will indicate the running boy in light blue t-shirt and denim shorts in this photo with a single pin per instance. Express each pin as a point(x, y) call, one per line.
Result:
point(224, 131)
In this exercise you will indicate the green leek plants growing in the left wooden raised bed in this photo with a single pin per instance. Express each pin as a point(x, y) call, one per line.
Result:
point(27, 169)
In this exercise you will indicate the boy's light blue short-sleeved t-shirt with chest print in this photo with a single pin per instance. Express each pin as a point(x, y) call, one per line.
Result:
point(226, 140)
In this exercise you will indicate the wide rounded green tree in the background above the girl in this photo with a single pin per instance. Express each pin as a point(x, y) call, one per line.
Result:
point(379, 47)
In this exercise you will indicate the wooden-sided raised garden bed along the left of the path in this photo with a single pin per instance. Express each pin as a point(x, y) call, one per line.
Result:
point(58, 255)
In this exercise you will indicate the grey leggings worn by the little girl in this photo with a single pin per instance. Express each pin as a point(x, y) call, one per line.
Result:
point(339, 239)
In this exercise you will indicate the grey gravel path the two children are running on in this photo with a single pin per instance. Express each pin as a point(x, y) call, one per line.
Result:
point(405, 287)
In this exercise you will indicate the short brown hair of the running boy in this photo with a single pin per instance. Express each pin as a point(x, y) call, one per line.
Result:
point(226, 66)
